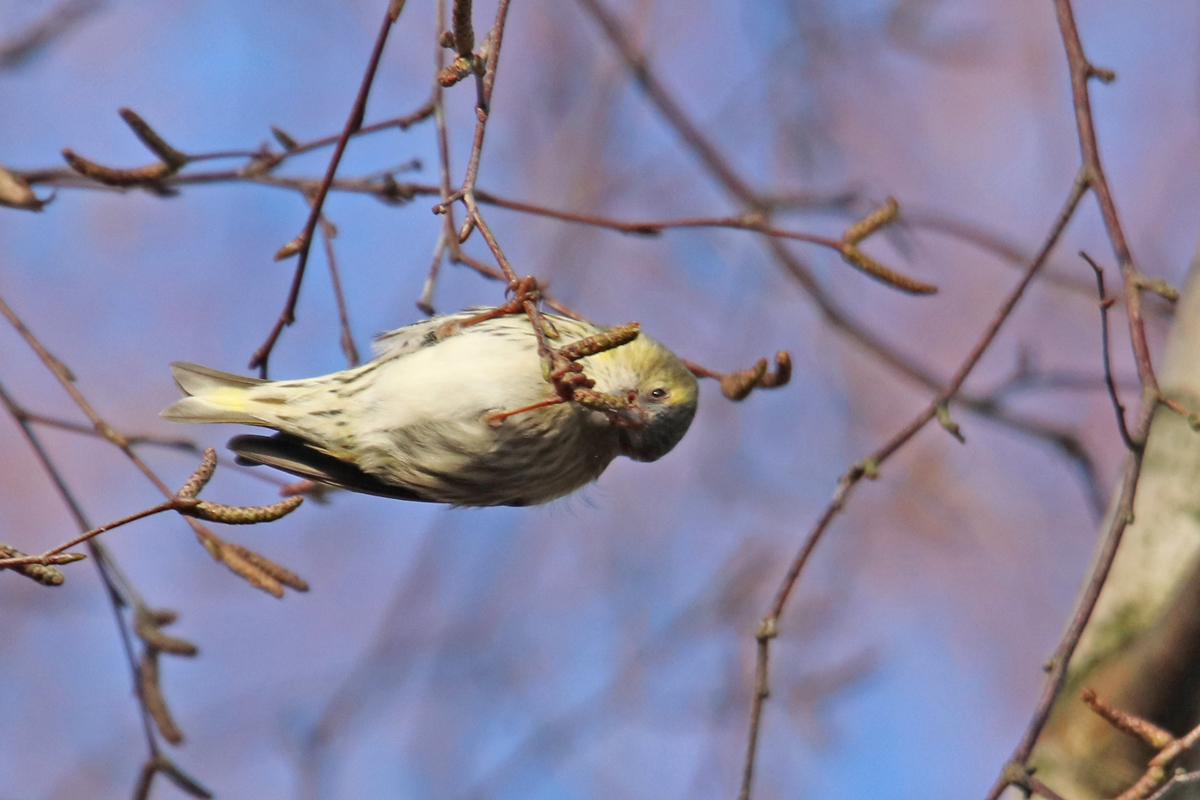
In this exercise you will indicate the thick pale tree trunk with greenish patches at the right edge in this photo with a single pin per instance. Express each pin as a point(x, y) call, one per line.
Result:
point(1142, 649)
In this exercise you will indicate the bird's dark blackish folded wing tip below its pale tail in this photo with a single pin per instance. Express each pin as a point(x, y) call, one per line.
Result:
point(297, 456)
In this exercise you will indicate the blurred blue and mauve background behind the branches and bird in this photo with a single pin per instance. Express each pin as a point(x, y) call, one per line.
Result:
point(603, 646)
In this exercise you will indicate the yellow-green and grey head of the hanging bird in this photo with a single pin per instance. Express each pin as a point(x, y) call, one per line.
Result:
point(662, 394)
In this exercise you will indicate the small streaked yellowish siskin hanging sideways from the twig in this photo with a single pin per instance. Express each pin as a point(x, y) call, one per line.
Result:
point(433, 417)
